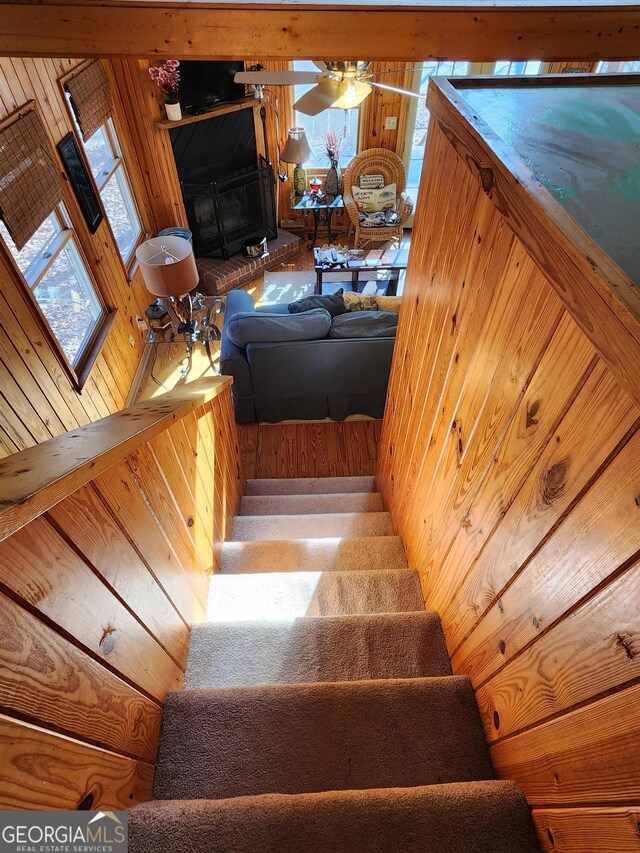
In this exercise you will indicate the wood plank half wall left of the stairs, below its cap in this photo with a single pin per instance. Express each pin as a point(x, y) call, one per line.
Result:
point(96, 600)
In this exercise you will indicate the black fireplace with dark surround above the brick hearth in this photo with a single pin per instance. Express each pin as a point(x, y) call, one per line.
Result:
point(227, 187)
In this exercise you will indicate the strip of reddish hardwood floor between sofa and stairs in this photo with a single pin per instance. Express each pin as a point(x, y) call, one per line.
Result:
point(313, 449)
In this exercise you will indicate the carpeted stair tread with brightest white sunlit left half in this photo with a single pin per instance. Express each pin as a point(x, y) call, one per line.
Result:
point(292, 595)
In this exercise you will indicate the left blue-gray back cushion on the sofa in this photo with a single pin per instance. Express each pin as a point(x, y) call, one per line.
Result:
point(251, 327)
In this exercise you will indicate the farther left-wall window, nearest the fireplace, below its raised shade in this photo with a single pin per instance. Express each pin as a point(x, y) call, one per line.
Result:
point(107, 167)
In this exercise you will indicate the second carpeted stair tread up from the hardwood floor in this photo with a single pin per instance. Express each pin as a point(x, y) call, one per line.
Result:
point(311, 504)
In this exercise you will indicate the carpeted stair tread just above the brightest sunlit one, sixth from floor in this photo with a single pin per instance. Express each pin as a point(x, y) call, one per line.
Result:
point(334, 648)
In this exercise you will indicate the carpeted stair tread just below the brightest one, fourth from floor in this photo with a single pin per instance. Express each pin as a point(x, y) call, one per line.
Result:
point(314, 555)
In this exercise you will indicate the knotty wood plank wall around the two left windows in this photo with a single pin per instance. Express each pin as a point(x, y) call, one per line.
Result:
point(37, 398)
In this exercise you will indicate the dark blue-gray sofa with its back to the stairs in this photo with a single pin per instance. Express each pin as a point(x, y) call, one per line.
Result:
point(305, 379)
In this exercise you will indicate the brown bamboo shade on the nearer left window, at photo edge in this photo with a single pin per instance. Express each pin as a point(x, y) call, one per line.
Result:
point(30, 181)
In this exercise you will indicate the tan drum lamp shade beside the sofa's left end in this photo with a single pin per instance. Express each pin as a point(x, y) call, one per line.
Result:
point(168, 266)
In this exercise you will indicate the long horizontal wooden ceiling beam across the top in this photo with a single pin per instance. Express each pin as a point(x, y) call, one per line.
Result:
point(484, 30)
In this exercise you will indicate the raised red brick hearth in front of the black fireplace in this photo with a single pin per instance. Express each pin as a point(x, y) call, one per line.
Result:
point(218, 276)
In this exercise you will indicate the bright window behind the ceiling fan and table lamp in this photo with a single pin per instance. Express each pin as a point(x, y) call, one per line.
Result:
point(341, 121)
